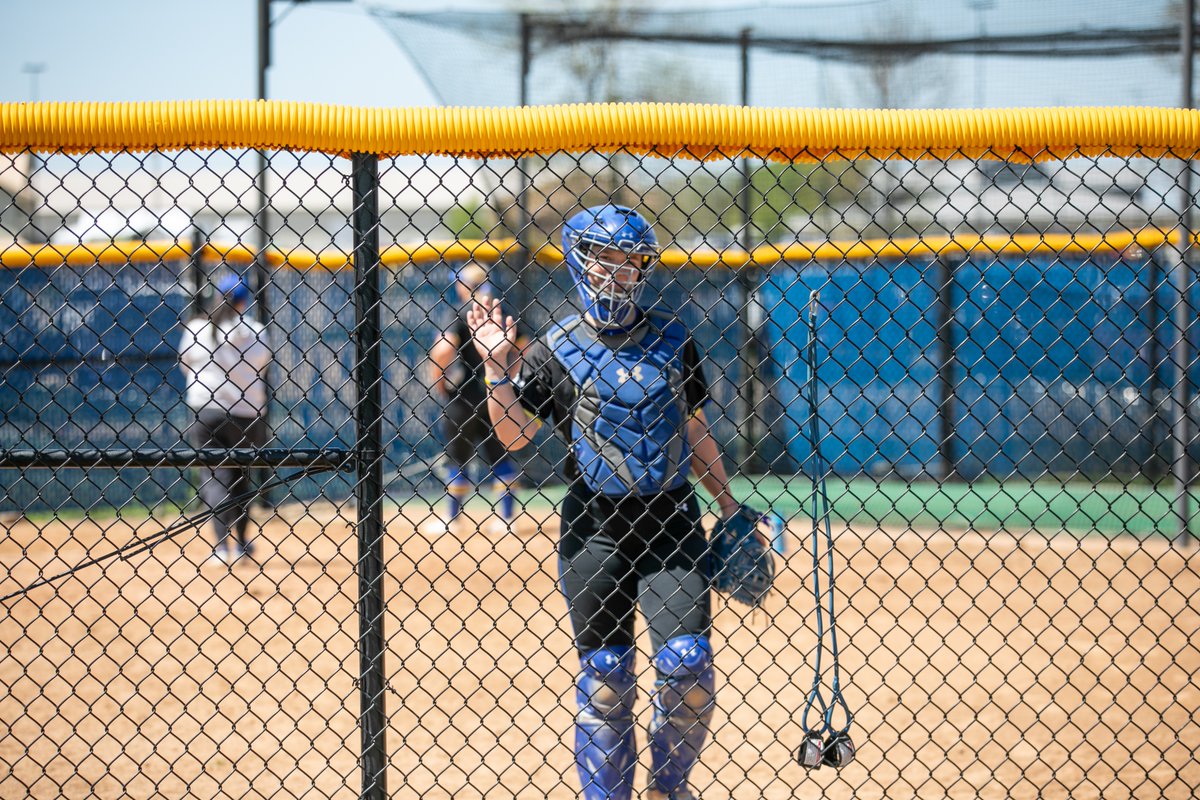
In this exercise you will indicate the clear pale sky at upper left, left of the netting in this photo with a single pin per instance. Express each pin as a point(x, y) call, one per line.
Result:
point(193, 50)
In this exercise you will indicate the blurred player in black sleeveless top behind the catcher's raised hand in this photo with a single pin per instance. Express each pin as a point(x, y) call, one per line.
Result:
point(458, 378)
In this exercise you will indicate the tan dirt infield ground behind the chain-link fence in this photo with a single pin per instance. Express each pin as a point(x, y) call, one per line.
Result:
point(979, 666)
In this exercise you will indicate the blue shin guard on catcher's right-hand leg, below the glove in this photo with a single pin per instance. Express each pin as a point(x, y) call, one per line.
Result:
point(685, 699)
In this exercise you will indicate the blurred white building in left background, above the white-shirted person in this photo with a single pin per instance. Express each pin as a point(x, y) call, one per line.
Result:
point(163, 196)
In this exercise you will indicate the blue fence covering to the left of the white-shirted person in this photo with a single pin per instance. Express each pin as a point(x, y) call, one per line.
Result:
point(89, 359)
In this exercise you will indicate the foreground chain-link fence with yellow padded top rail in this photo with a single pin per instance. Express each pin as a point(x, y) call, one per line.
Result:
point(275, 526)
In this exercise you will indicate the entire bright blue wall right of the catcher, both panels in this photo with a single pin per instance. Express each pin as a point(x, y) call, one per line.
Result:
point(1053, 369)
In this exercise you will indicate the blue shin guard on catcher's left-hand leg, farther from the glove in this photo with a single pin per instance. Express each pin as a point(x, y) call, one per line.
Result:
point(604, 735)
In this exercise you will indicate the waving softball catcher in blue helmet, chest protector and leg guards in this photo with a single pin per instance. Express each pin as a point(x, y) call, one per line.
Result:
point(622, 383)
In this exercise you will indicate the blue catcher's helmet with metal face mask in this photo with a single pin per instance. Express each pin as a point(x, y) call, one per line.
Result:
point(610, 290)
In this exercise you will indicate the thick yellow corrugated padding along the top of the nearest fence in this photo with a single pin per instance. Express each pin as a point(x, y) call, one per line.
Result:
point(692, 131)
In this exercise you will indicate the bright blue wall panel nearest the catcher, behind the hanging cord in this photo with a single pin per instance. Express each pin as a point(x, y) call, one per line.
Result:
point(877, 344)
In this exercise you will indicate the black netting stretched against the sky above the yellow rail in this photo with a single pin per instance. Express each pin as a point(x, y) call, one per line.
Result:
point(866, 55)
